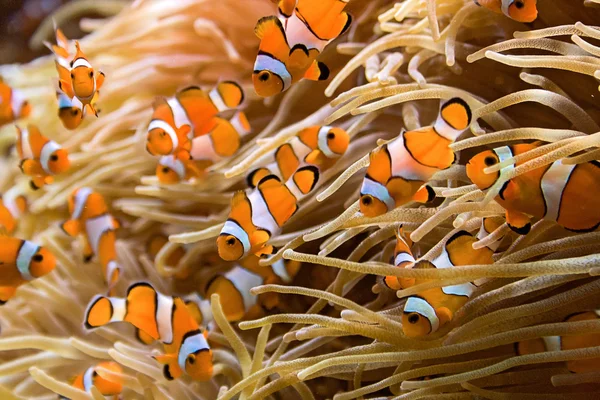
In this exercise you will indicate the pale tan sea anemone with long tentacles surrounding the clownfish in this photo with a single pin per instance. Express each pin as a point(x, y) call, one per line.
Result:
point(337, 330)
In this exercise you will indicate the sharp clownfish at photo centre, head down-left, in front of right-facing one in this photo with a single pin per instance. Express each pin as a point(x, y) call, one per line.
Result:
point(254, 218)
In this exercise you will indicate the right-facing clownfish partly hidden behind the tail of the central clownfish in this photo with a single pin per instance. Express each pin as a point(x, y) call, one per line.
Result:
point(316, 145)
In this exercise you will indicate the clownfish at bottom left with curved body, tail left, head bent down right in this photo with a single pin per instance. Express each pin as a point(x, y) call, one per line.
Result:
point(163, 318)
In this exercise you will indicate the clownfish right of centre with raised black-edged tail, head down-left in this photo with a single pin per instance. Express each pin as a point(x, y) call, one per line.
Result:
point(399, 171)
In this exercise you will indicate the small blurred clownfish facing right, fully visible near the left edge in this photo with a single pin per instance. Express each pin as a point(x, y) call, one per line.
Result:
point(40, 157)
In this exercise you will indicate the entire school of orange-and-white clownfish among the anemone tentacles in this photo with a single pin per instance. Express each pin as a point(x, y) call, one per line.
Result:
point(191, 131)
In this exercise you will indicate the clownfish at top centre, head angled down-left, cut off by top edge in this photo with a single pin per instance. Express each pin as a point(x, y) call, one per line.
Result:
point(289, 45)
